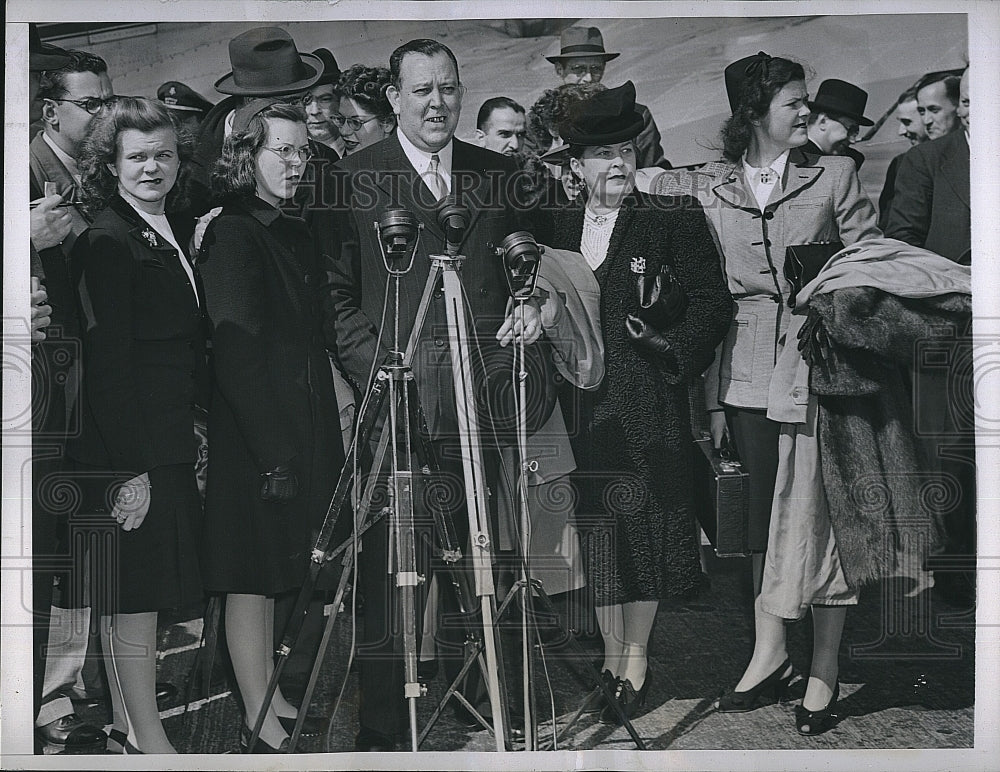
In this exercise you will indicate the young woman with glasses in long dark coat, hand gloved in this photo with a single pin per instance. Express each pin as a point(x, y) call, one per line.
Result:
point(276, 448)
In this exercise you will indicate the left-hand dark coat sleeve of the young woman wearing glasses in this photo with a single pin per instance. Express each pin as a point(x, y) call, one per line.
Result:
point(233, 274)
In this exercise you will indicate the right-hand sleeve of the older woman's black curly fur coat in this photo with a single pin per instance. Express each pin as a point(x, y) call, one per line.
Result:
point(695, 261)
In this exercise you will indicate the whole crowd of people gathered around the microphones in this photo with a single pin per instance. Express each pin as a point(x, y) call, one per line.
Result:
point(195, 262)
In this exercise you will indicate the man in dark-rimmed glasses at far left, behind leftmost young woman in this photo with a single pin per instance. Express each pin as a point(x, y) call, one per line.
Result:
point(72, 90)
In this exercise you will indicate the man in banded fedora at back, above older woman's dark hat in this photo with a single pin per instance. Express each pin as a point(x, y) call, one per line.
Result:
point(581, 59)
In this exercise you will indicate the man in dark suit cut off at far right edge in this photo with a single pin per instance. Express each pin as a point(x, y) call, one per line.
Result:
point(931, 209)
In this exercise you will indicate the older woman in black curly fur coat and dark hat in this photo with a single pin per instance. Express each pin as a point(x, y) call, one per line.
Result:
point(664, 307)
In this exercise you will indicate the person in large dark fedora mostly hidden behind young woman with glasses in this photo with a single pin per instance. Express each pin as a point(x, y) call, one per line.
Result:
point(265, 63)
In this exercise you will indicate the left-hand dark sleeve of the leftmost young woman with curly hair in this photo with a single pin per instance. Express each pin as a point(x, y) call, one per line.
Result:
point(107, 306)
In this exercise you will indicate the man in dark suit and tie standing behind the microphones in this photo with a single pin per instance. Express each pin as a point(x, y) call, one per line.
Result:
point(415, 169)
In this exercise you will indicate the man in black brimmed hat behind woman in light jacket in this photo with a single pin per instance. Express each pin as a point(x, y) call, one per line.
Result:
point(836, 117)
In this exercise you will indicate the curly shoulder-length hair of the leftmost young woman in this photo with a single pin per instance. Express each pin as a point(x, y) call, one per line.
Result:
point(100, 149)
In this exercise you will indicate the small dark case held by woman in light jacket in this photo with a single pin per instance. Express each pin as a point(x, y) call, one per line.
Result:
point(723, 501)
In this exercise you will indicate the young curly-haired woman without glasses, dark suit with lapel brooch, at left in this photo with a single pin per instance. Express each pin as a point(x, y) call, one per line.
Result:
point(144, 371)
